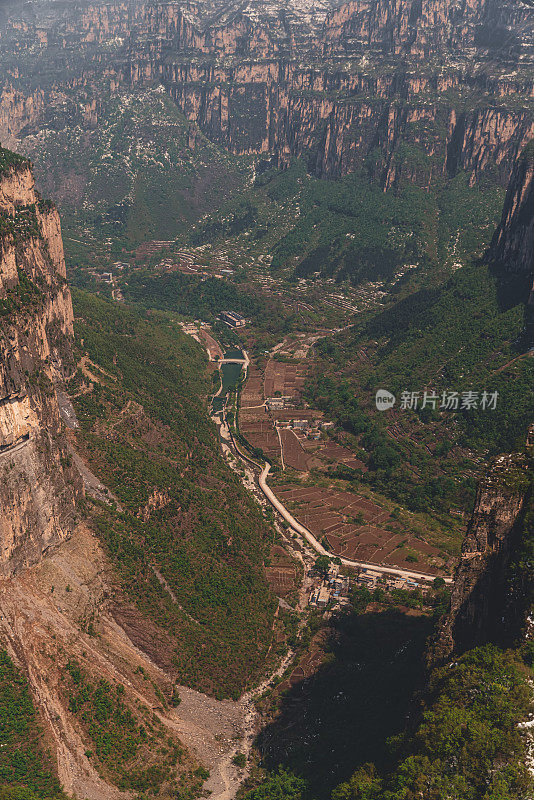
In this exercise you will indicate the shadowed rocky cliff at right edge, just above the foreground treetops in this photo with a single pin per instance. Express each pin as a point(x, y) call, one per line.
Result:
point(480, 609)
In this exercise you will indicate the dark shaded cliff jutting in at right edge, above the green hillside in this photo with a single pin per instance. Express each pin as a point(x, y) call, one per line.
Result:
point(512, 248)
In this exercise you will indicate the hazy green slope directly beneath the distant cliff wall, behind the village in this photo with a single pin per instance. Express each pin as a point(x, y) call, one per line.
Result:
point(351, 229)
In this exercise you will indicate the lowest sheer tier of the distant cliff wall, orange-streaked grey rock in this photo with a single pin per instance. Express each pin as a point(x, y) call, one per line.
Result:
point(402, 128)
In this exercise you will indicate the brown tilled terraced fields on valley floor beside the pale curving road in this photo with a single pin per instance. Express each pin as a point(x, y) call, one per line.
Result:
point(354, 526)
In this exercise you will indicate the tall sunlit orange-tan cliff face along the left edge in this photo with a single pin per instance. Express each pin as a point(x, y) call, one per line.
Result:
point(38, 484)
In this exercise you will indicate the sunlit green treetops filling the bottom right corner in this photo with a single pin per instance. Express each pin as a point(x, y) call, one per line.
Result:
point(467, 744)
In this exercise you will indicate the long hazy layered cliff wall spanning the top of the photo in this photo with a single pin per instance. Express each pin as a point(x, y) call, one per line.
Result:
point(410, 90)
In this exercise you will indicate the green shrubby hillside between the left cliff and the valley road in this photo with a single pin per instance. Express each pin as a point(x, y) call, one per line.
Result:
point(186, 519)
